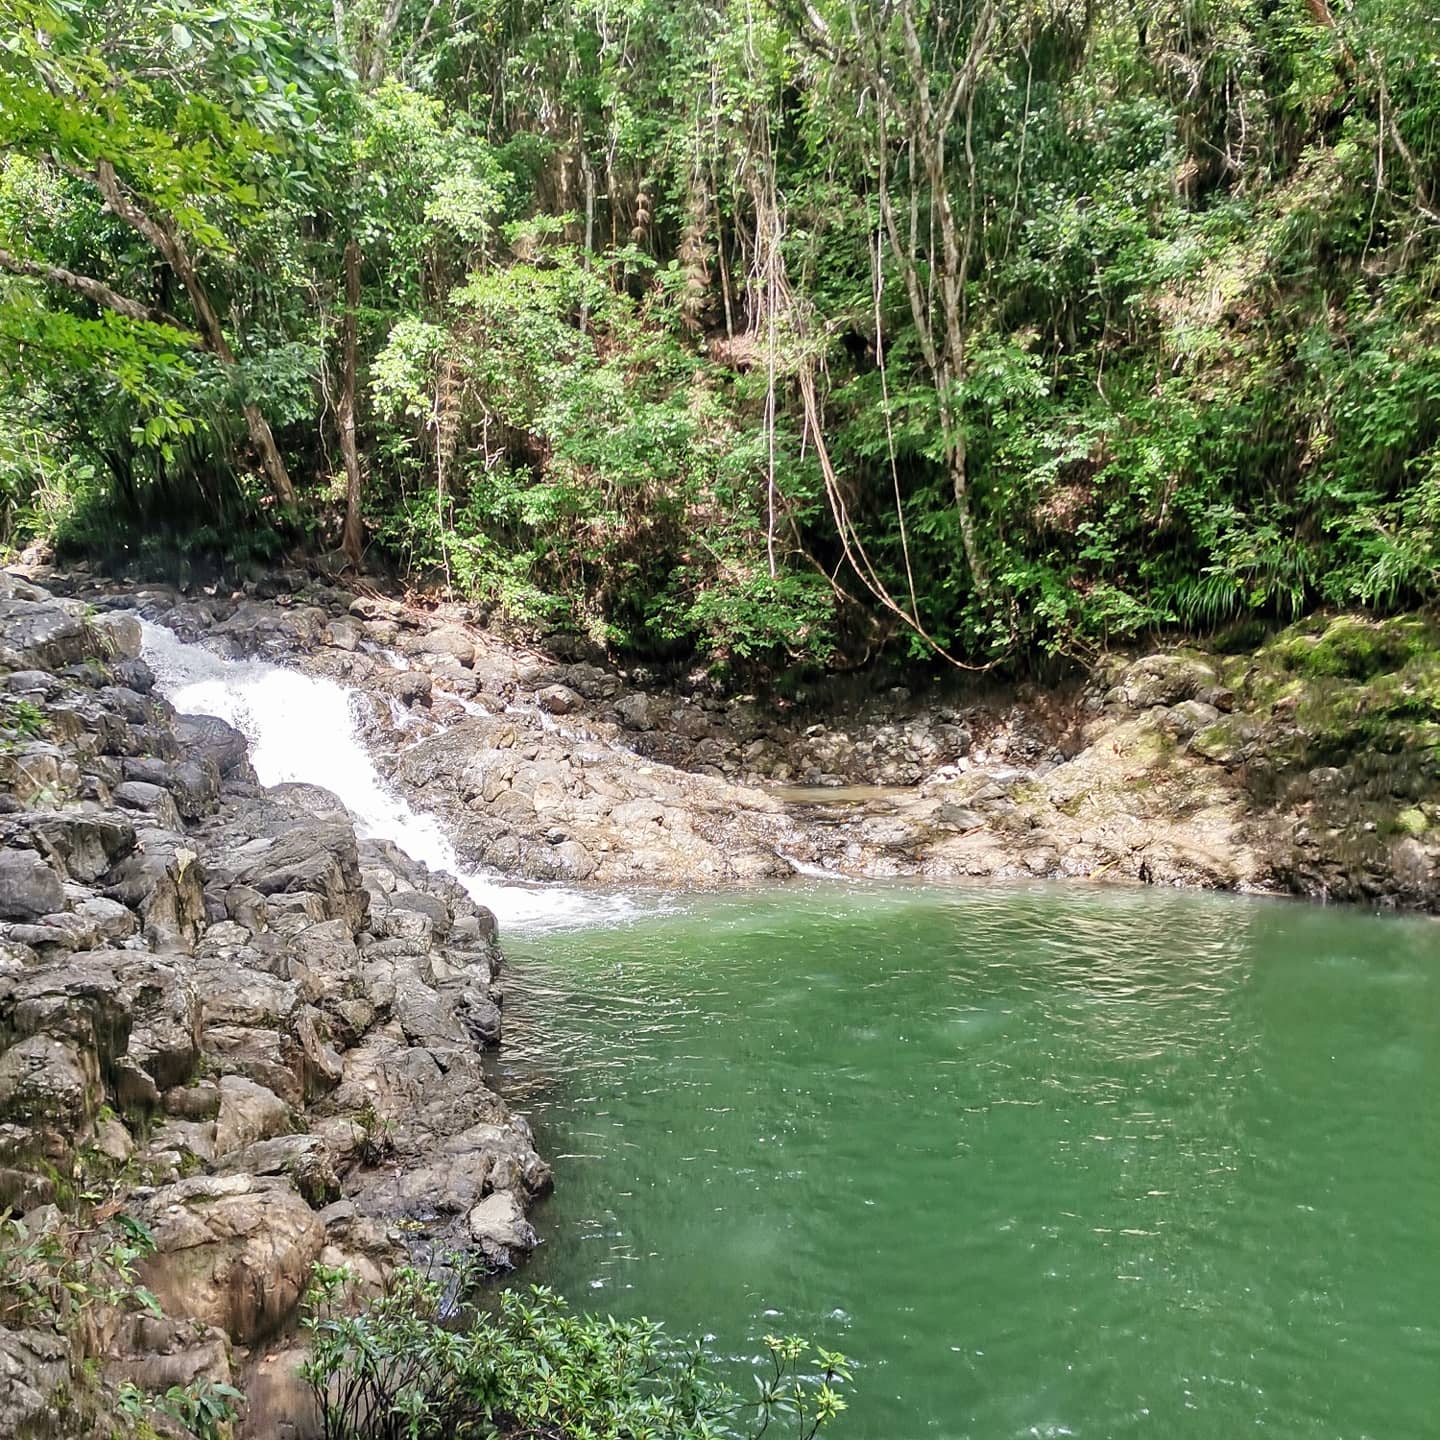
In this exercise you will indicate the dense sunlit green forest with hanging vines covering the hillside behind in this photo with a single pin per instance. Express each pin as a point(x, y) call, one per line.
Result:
point(758, 328)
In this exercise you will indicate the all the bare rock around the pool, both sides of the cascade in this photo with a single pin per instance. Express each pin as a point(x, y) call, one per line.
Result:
point(260, 1036)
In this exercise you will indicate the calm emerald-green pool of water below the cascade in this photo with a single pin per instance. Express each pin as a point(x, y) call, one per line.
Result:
point(1045, 1161)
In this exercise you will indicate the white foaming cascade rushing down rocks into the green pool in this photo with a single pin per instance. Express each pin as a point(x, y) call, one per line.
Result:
point(303, 728)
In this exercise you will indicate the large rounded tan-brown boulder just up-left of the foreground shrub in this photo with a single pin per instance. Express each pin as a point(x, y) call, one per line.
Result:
point(233, 1252)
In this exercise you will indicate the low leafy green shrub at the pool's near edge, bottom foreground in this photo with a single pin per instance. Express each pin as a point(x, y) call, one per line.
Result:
point(415, 1366)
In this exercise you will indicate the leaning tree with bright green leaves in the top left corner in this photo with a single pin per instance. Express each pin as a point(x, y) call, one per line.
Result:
point(186, 125)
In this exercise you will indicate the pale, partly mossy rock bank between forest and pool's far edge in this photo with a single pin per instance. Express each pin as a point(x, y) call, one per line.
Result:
point(1304, 764)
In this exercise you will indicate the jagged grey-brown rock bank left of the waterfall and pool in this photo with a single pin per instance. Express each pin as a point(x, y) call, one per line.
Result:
point(227, 1017)
